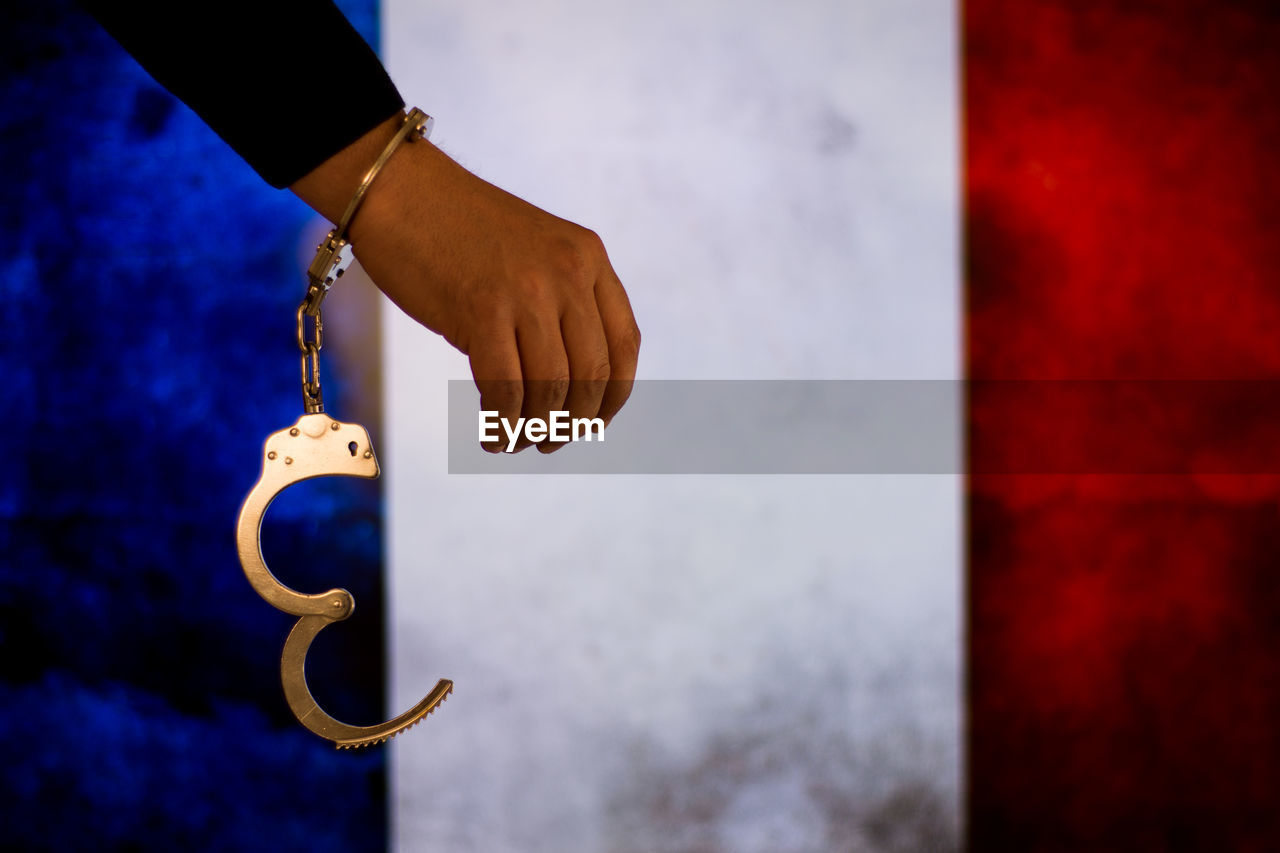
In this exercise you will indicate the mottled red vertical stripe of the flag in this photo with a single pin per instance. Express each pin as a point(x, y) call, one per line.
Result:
point(1123, 167)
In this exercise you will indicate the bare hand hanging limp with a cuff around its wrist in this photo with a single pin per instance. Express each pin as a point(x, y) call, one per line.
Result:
point(529, 298)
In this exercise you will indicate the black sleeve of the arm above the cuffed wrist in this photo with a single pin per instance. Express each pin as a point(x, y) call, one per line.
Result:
point(285, 83)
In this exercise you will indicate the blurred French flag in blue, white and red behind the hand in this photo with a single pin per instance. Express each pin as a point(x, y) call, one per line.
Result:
point(1040, 651)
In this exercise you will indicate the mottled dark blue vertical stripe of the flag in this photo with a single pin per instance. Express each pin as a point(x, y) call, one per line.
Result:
point(147, 345)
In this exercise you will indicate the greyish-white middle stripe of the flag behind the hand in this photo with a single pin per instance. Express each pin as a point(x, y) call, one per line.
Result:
point(669, 663)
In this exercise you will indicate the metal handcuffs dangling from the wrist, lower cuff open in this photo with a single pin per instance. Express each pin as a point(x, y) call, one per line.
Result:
point(321, 446)
